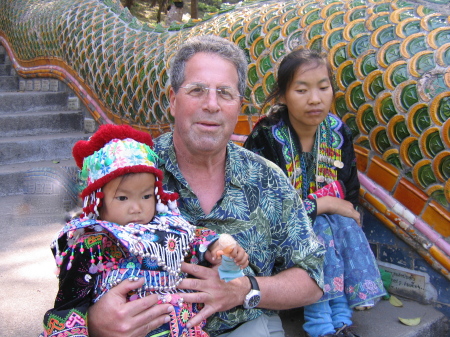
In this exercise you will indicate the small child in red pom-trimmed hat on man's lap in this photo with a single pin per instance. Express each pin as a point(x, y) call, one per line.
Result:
point(119, 236)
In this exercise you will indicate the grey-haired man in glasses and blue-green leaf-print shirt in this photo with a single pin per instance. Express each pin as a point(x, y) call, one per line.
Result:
point(228, 189)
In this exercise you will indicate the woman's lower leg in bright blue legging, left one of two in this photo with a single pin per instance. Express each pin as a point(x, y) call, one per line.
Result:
point(318, 320)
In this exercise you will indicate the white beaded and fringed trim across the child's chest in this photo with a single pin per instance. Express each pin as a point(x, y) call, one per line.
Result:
point(156, 251)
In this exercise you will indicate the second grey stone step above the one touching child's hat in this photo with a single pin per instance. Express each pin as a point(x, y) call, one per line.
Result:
point(32, 101)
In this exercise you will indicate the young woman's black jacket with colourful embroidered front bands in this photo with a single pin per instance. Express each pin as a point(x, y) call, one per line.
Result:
point(270, 139)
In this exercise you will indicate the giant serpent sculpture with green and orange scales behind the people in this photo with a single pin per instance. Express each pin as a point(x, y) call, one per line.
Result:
point(392, 65)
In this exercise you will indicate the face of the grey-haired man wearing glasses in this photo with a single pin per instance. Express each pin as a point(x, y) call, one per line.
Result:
point(204, 124)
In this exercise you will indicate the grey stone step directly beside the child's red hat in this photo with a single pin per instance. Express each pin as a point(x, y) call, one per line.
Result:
point(16, 150)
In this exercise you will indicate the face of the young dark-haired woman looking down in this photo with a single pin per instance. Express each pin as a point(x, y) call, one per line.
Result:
point(309, 96)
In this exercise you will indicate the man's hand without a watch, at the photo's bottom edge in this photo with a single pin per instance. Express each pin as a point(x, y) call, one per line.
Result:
point(113, 316)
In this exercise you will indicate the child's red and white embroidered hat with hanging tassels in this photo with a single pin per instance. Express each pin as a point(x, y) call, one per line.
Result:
point(113, 151)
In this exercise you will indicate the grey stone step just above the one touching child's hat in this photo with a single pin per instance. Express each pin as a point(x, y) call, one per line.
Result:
point(36, 123)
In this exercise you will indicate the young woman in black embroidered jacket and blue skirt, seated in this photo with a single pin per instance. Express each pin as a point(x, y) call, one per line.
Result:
point(314, 149)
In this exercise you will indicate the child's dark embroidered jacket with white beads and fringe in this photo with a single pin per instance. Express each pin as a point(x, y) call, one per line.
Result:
point(96, 255)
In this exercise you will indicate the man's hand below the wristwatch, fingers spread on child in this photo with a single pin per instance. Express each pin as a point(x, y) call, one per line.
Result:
point(216, 294)
